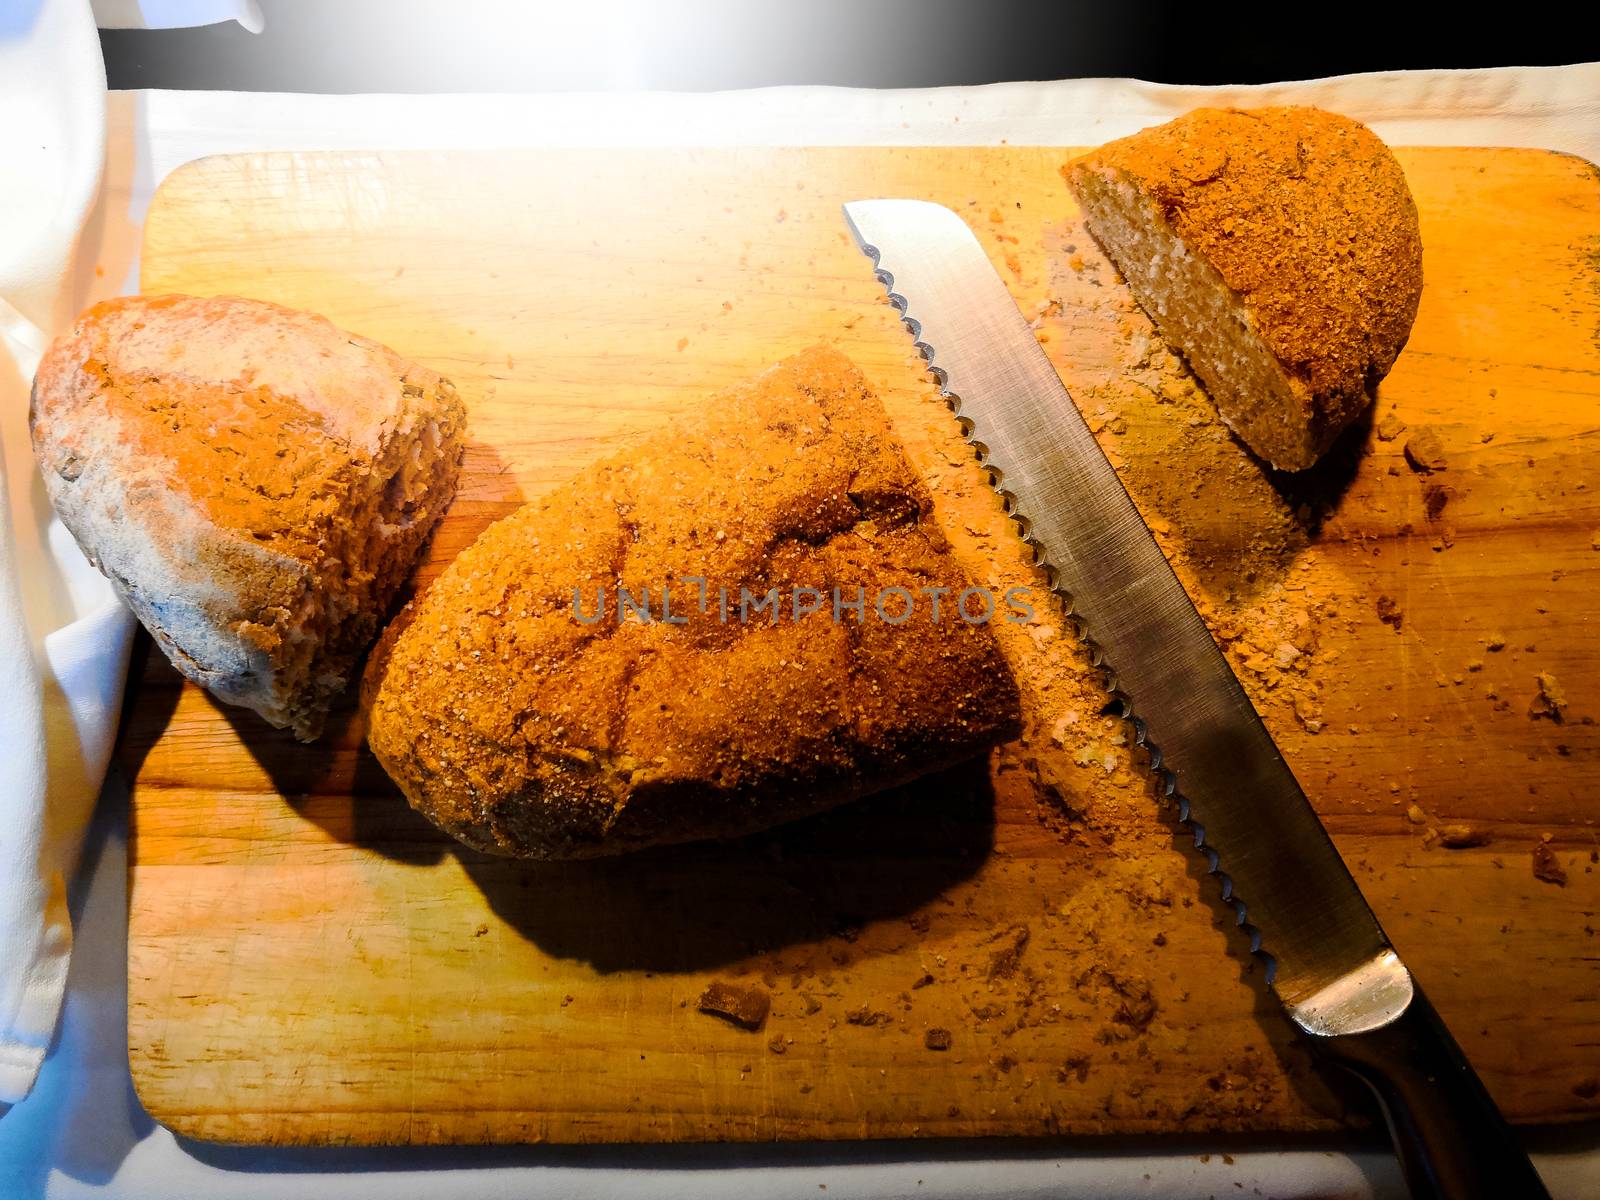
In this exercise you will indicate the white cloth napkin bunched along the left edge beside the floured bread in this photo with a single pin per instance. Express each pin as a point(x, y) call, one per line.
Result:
point(63, 634)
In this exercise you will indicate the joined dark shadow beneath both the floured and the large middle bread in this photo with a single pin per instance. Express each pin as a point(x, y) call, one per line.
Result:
point(671, 910)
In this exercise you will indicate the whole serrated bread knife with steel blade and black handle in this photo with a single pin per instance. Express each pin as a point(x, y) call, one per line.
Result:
point(1329, 961)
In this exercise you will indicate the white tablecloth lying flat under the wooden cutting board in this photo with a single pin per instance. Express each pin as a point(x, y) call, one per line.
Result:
point(82, 1130)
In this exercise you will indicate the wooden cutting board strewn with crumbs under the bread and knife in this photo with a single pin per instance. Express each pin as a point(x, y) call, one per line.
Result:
point(310, 962)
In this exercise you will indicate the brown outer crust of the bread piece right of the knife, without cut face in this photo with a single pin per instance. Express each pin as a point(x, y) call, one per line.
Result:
point(1308, 220)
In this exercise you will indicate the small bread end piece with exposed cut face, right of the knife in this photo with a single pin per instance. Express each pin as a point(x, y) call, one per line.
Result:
point(1278, 250)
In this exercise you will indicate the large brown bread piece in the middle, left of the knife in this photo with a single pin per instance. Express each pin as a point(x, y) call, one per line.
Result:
point(524, 730)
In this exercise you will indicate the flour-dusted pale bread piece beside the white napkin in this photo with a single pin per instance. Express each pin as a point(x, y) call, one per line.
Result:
point(255, 482)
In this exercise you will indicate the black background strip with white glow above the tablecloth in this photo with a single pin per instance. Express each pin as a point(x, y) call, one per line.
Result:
point(540, 46)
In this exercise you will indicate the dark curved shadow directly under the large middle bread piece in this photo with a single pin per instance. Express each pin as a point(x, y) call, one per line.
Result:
point(706, 905)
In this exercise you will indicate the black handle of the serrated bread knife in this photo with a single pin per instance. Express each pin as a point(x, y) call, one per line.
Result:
point(1452, 1142)
